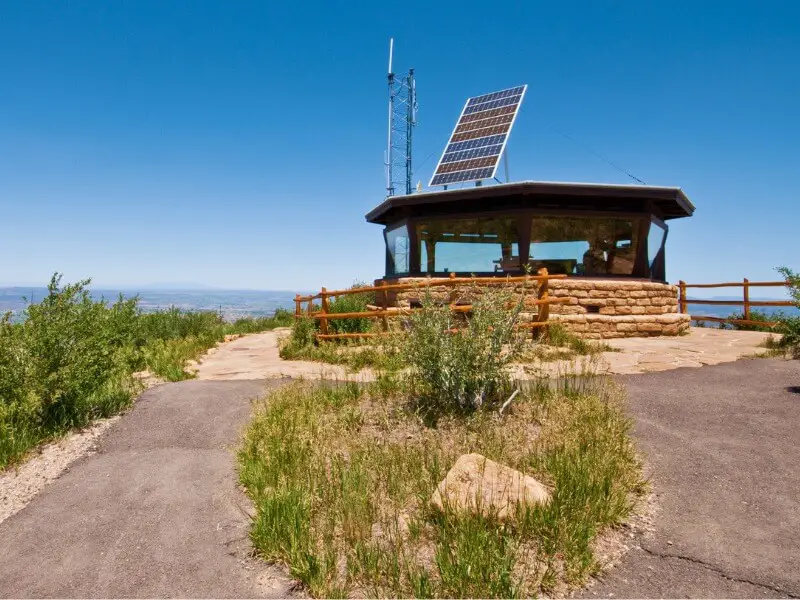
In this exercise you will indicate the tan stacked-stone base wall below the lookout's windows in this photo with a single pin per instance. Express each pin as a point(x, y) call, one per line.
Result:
point(597, 308)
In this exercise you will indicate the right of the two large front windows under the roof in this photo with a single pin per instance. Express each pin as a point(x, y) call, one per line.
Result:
point(583, 245)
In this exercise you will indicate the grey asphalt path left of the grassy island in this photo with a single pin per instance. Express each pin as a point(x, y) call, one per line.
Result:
point(155, 513)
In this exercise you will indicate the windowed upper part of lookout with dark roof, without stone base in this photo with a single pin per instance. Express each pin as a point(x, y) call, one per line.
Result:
point(583, 230)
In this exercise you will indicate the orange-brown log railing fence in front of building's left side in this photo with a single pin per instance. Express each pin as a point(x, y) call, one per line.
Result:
point(384, 311)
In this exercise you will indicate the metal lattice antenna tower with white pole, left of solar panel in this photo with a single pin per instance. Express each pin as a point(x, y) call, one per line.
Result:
point(402, 120)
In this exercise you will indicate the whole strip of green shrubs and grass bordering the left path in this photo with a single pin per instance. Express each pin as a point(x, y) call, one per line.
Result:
point(71, 359)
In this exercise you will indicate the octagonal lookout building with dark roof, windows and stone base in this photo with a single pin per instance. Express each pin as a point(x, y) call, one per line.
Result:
point(610, 240)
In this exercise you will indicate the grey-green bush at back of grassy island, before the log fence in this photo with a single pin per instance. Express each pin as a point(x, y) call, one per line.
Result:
point(462, 362)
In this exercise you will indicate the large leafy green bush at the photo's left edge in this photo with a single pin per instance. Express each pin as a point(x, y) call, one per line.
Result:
point(68, 362)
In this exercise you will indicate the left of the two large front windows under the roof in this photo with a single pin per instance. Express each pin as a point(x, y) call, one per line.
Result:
point(487, 245)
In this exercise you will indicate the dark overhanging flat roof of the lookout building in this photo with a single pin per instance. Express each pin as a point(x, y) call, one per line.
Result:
point(670, 201)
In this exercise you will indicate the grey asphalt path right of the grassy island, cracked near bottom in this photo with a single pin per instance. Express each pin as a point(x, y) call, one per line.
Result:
point(722, 445)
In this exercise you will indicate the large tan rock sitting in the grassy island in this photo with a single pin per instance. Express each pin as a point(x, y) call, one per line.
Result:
point(476, 484)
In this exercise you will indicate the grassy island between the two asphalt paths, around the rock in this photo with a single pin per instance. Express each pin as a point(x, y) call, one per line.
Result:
point(342, 476)
